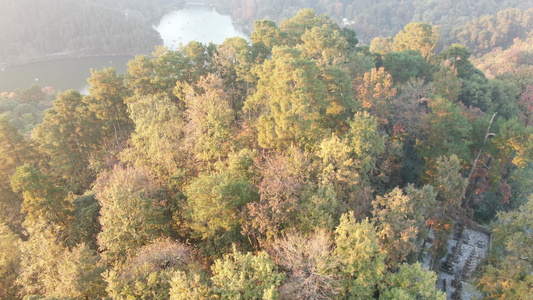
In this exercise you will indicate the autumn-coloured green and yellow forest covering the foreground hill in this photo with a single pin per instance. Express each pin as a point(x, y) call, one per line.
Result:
point(299, 165)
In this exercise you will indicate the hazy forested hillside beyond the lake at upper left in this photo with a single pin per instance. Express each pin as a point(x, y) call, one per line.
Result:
point(39, 30)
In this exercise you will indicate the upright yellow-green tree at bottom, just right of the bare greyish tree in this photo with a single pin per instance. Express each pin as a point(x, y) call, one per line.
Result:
point(362, 264)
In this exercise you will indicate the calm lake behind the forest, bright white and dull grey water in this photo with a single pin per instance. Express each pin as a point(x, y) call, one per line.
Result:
point(202, 24)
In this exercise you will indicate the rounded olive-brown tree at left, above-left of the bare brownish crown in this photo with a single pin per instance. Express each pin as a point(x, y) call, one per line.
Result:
point(131, 214)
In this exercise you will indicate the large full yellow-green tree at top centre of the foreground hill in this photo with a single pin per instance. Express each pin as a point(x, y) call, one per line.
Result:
point(289, 101)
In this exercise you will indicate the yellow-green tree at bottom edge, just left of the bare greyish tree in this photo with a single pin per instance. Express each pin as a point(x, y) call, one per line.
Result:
point(246, 276)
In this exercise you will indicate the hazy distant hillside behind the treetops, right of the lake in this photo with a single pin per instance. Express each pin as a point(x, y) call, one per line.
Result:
point(371, 18)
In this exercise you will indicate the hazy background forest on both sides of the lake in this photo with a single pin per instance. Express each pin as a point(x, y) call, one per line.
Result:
point(76, 28)
